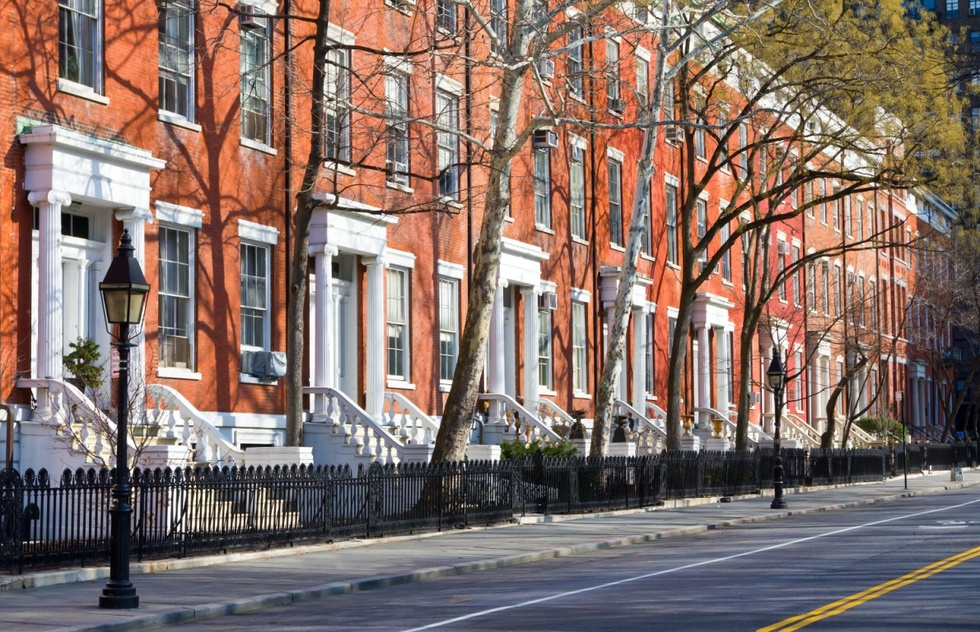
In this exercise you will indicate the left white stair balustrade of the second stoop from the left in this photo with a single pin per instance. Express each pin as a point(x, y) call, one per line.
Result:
point(369, 437)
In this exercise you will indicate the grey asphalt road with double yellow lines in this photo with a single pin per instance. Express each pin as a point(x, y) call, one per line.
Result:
point(912, 564)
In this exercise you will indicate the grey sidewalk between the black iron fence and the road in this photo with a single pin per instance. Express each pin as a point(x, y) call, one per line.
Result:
point(175, 591)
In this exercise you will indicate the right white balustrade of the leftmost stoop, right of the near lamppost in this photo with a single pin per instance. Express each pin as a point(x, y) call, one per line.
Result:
point(179, 420)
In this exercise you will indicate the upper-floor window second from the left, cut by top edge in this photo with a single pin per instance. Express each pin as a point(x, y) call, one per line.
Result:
point(176, 50)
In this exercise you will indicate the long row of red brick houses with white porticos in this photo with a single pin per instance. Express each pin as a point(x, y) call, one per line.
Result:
point(188, 125)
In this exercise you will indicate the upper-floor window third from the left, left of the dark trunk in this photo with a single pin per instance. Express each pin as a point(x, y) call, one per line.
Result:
point(256, 95)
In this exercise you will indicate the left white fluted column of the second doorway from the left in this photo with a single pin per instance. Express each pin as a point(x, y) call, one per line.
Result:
point(325, 366)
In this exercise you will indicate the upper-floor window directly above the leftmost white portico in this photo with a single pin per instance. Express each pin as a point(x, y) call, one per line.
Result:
point(80, 42)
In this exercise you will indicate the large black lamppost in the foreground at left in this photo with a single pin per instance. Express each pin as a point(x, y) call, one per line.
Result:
point(124, 291)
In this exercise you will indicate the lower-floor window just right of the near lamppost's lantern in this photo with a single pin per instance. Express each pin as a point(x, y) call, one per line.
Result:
point(176, 318)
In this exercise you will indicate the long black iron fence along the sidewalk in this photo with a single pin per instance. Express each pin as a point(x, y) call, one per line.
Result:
point(184, 512)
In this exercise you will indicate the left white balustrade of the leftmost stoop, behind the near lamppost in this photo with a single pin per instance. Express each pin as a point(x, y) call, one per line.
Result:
point(86, 430)
